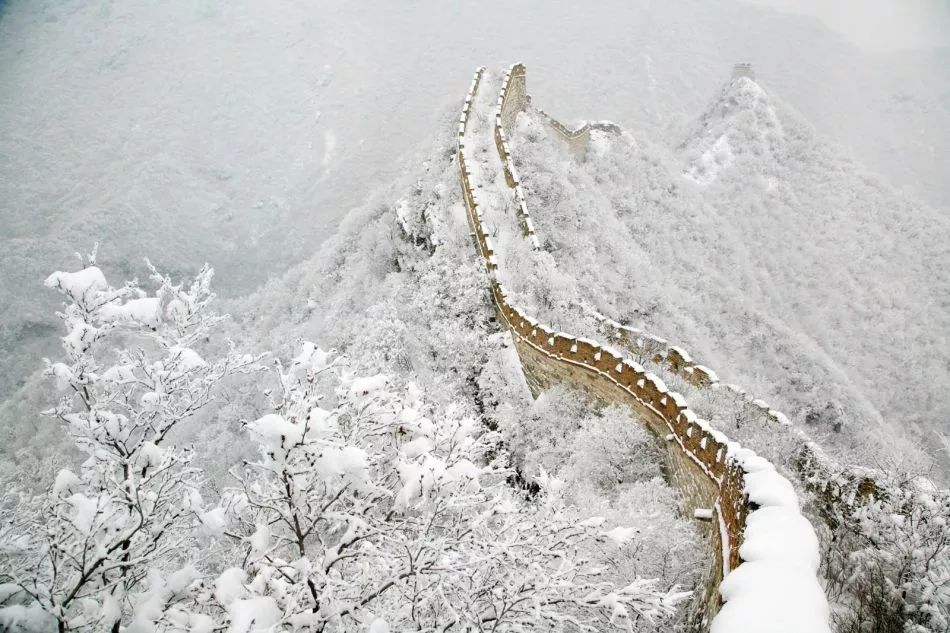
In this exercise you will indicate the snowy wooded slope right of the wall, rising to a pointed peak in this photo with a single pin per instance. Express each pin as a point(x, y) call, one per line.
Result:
point(770, 255)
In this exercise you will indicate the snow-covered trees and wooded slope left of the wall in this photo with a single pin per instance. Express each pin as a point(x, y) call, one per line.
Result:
point(425, 440)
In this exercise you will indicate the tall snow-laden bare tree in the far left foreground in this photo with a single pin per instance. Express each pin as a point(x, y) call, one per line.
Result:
point(131, 375)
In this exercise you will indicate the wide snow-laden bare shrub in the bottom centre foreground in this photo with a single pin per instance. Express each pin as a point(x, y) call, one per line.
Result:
point(381, 512)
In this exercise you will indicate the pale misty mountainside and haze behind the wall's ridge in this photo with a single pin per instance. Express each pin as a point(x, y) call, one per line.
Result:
point(240, 133)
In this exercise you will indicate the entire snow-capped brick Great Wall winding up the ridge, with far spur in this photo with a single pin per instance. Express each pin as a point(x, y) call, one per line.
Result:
point(763, 552)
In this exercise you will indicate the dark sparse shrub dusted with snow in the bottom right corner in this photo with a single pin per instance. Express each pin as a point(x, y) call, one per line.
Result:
point(887, 555)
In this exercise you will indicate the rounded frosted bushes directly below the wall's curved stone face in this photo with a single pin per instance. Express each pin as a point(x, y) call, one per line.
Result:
point(610, 467)
